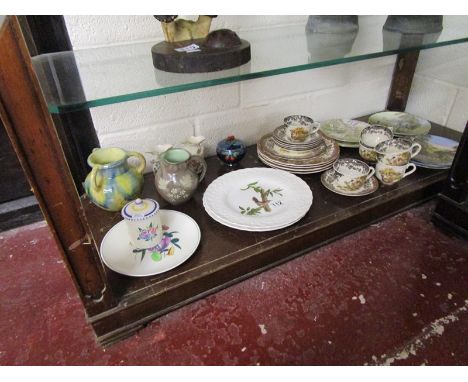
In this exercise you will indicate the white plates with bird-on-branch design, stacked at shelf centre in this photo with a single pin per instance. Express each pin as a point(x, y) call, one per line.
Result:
point(257, 199)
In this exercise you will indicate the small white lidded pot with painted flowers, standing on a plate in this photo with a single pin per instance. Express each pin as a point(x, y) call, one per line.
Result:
point(143, 222)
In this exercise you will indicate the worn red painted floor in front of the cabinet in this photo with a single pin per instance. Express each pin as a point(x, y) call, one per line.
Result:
point(395, 293)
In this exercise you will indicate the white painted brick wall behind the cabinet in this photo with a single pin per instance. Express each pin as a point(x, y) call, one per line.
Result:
point(251, 108)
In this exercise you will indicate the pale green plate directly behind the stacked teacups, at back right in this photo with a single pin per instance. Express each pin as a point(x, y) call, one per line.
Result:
point(403, 124)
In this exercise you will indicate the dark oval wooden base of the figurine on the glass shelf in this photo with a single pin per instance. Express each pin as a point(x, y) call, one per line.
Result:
point(171, 57)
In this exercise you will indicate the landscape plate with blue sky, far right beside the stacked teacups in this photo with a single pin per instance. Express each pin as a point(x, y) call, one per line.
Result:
point(436, 152)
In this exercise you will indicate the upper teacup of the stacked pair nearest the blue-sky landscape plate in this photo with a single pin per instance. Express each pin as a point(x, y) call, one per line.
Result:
point(397, 151)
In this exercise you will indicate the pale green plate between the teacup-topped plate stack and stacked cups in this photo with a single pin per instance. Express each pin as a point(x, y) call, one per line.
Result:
point(346, 132)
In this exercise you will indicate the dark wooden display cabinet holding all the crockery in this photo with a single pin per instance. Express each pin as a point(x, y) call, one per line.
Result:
point(117, 305)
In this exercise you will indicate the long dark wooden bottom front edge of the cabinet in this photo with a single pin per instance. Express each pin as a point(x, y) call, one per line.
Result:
point(129, 317)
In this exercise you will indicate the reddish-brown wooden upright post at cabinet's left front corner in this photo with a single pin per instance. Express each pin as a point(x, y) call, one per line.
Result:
point(35, 140)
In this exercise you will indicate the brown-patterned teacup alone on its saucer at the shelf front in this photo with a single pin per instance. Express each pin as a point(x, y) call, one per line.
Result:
point(351, 173)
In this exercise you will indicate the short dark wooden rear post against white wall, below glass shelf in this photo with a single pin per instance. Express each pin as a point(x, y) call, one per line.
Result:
point(403, 74)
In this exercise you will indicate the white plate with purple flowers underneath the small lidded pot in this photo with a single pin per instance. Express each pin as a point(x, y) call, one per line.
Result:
point(181, 236)
